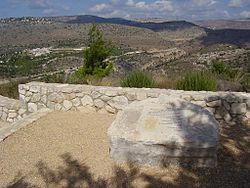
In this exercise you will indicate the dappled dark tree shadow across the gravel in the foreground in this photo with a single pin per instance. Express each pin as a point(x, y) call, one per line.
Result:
point(233, 170)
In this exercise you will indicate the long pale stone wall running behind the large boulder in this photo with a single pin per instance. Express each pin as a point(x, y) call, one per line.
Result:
point(227, 106)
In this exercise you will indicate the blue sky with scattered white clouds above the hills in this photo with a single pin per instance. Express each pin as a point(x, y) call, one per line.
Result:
point(130, 9)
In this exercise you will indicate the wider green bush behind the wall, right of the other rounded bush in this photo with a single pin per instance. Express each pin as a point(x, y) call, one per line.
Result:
point(197, 81)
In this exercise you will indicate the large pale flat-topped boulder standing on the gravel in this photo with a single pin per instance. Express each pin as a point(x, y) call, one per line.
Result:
point(164, 131)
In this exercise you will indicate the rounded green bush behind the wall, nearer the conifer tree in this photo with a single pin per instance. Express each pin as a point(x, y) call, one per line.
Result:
point(138, 79)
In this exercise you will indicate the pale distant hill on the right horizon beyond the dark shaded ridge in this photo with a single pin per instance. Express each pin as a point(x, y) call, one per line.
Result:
point(225, 24)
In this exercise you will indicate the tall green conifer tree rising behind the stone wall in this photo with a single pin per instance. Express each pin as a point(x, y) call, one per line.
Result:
point(98, 50)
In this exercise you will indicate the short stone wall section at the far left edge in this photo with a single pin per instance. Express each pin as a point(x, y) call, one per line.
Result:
point(10, 110)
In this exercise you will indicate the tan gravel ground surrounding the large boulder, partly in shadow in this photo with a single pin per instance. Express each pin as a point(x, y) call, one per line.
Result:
point(70, 149)
